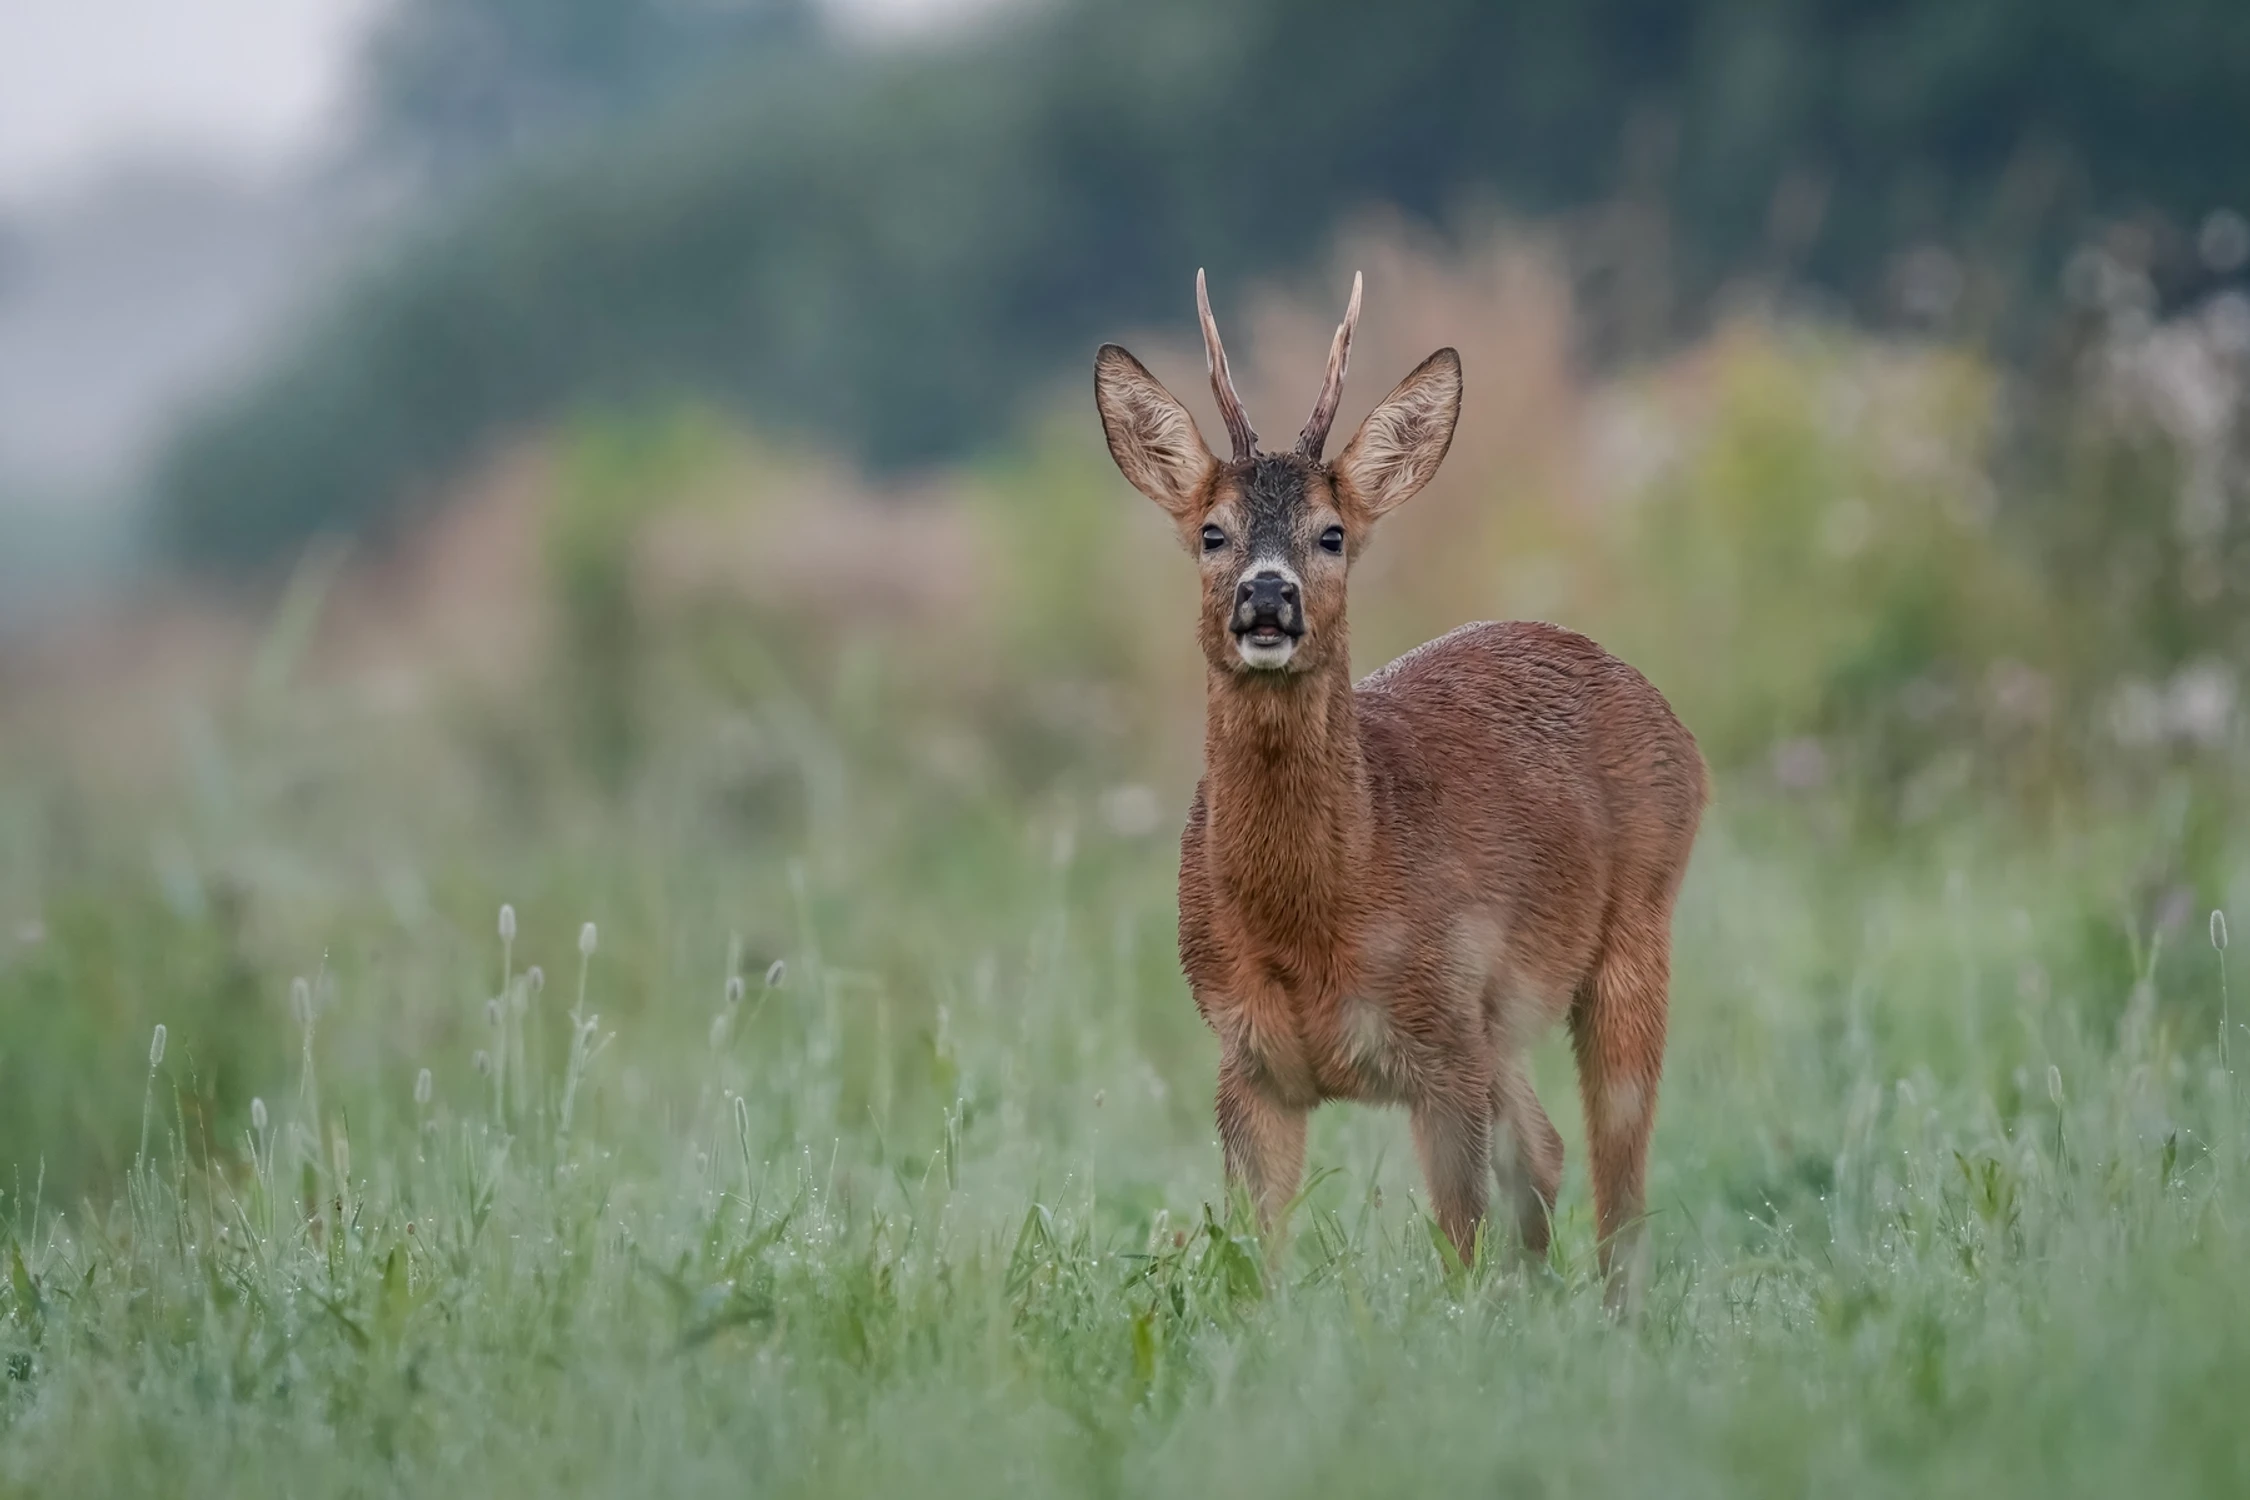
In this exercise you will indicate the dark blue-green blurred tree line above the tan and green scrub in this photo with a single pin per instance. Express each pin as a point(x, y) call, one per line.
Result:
point(892, 249)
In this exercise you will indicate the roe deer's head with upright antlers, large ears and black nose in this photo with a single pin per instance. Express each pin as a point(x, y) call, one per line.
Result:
point(1277, 534)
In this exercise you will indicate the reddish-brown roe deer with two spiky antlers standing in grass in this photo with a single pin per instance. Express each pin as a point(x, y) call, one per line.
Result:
point(1387, 889)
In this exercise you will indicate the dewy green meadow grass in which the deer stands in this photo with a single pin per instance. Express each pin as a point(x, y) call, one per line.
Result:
point(1936, 1211)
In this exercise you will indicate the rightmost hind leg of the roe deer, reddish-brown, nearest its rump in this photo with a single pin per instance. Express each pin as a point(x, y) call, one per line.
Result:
point(1619, 1036)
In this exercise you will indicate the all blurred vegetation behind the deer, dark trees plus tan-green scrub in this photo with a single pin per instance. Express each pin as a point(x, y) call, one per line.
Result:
point(681, 496)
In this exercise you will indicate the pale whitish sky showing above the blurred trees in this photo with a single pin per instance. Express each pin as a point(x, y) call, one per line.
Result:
point(251, 84)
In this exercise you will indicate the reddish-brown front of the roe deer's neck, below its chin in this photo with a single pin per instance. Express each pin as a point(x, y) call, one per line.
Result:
point(1286, 802)
